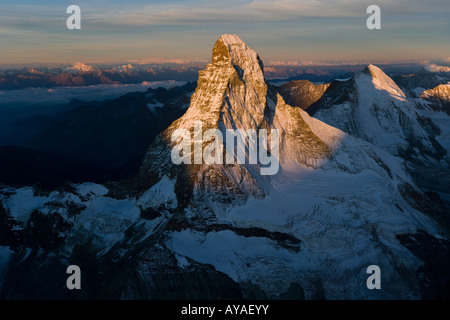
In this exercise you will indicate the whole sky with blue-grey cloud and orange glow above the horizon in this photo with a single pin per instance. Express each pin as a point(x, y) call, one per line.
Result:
point(316, 31)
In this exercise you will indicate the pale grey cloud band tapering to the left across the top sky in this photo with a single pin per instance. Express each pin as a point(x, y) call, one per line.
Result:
point(211, 12)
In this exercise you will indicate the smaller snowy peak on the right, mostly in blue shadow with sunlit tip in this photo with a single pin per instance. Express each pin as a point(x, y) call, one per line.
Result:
point(371, 106)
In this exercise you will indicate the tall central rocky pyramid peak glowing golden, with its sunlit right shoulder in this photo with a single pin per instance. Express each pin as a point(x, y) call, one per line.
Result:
point(232, 94)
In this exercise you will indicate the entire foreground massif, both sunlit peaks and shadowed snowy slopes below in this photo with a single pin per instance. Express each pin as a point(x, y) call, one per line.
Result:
point(340, 200)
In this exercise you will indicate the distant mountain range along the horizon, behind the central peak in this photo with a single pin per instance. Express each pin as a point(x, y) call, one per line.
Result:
point(81, 74)
